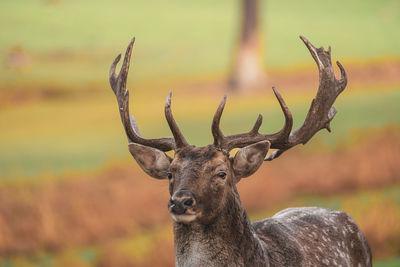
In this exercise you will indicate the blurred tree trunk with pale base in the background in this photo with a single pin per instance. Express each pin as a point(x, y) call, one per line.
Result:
point(247, 68)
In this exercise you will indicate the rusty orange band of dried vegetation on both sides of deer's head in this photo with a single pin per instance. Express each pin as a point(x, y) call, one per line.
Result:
point(95, 208)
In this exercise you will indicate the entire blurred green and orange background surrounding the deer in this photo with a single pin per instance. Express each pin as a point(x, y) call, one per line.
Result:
point(70, 193)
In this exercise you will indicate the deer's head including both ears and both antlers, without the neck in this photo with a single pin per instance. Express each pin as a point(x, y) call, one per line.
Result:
point(202, 180)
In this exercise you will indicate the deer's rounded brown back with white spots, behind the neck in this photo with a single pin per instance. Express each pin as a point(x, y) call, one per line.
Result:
point(312, 236)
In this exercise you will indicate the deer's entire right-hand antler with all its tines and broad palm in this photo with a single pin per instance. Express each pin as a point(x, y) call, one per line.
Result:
point(320, 114)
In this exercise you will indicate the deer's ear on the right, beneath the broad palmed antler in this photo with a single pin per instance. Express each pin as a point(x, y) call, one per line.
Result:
point(248, 159)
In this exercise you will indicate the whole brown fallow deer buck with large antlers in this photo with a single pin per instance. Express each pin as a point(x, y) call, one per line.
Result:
point(211, 228)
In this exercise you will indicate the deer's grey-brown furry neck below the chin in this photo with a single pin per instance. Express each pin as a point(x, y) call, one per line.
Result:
point(228, 241)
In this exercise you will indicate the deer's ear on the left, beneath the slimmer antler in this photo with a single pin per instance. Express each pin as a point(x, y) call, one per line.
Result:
point(153, 161)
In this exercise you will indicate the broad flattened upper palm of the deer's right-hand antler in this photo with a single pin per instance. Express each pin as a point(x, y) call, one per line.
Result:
point(321, 111)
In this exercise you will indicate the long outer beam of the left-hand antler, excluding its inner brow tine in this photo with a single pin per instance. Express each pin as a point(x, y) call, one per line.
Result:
point(118, 85)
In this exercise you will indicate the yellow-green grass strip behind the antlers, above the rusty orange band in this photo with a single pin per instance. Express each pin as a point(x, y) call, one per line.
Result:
point(47, 137)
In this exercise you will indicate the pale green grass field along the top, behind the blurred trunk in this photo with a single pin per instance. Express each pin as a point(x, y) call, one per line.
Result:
point(73, 42)
